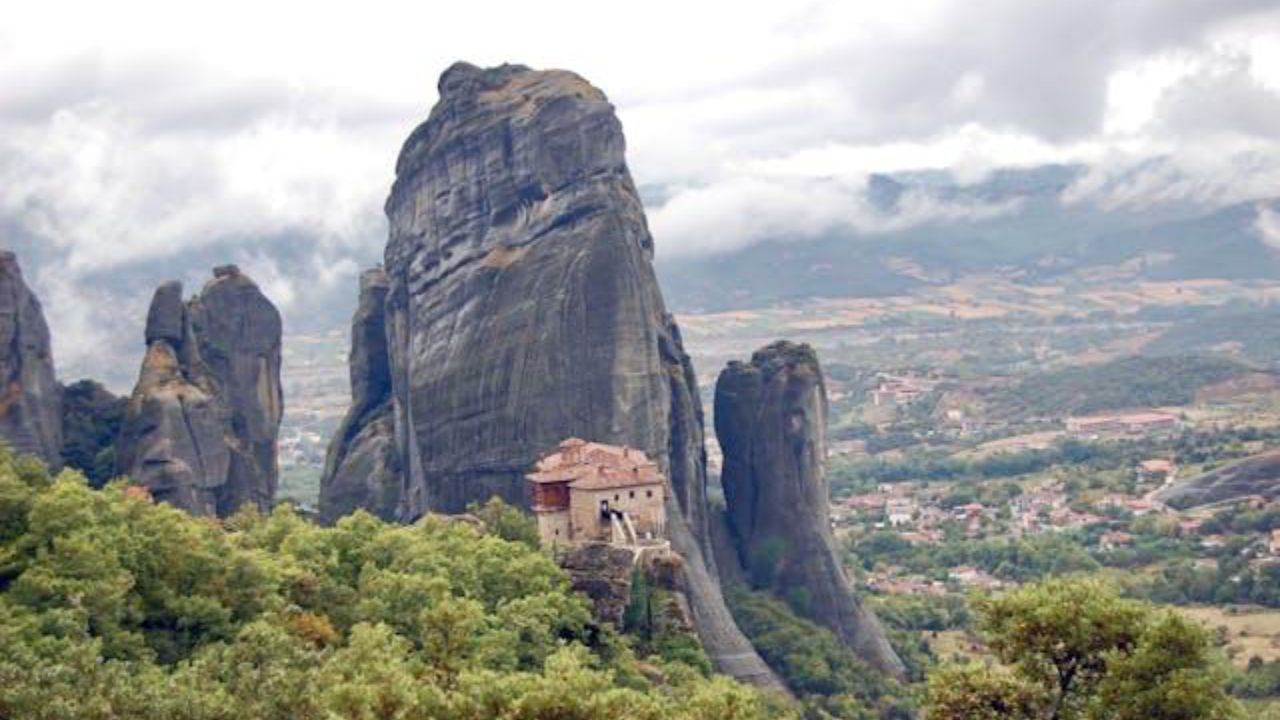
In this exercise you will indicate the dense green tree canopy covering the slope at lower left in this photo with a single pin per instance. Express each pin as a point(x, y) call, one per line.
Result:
point(113, 607)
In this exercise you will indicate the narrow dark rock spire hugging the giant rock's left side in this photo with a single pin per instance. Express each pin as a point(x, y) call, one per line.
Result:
point(363, 467)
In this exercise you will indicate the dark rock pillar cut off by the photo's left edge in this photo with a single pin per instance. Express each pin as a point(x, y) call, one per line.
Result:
point(31, 405)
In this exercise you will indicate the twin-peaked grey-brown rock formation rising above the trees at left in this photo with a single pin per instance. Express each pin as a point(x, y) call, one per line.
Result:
point(202, 427)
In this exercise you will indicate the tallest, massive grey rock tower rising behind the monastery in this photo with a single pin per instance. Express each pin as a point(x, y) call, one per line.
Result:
point(523, 309)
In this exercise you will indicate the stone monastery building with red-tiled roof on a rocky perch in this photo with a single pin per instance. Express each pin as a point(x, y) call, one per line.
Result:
point(596, 493)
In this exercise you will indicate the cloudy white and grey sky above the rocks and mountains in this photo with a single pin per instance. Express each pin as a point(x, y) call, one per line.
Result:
point(136, 136)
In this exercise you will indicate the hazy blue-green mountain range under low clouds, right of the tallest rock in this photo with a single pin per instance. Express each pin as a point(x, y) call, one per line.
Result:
point(1040, 234)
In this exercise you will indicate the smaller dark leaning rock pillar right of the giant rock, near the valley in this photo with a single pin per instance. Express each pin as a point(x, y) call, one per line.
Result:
point(771, 422)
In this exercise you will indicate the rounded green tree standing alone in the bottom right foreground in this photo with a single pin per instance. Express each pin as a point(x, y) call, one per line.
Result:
point(1076, 649)
